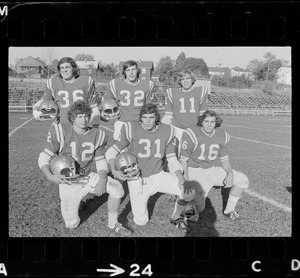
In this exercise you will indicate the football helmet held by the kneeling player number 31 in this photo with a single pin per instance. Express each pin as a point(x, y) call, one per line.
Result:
point(128, 165)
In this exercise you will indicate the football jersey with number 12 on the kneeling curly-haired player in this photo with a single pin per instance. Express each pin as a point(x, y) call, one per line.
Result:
point(62, 139)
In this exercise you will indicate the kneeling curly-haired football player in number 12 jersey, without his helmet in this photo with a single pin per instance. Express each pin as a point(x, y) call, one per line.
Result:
point(84, 144)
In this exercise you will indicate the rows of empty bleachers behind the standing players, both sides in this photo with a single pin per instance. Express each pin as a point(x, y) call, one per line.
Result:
point(227, 102)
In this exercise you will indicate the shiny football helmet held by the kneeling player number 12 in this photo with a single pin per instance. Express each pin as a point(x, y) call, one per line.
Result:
point(63, 165)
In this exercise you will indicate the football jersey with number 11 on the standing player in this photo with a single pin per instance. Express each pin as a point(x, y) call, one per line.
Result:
point(185, 105)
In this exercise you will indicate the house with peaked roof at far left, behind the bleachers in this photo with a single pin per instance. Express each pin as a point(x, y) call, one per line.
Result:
point(31, 67)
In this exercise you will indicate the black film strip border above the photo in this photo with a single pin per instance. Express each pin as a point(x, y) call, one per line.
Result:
point(150, 23)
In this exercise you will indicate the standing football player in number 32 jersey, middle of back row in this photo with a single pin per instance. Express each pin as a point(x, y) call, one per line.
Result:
point(130, 92)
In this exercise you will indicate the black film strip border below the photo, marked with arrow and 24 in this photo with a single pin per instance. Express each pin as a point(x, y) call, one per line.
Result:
point(150, 257)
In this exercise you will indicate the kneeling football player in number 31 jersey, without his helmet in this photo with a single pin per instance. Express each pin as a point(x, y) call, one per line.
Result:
point(151, 142)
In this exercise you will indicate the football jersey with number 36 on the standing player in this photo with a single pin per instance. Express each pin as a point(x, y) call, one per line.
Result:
point(66, 93)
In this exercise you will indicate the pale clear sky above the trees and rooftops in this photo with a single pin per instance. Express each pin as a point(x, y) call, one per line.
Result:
point(213, 56)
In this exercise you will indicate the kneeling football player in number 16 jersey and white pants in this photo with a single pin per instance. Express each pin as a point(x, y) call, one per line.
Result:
point(202, 147)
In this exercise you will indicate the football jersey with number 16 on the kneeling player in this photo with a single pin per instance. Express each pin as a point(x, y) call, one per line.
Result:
point(203, 150)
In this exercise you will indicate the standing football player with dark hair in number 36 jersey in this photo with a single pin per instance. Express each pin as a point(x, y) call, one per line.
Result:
point(66, 88)
